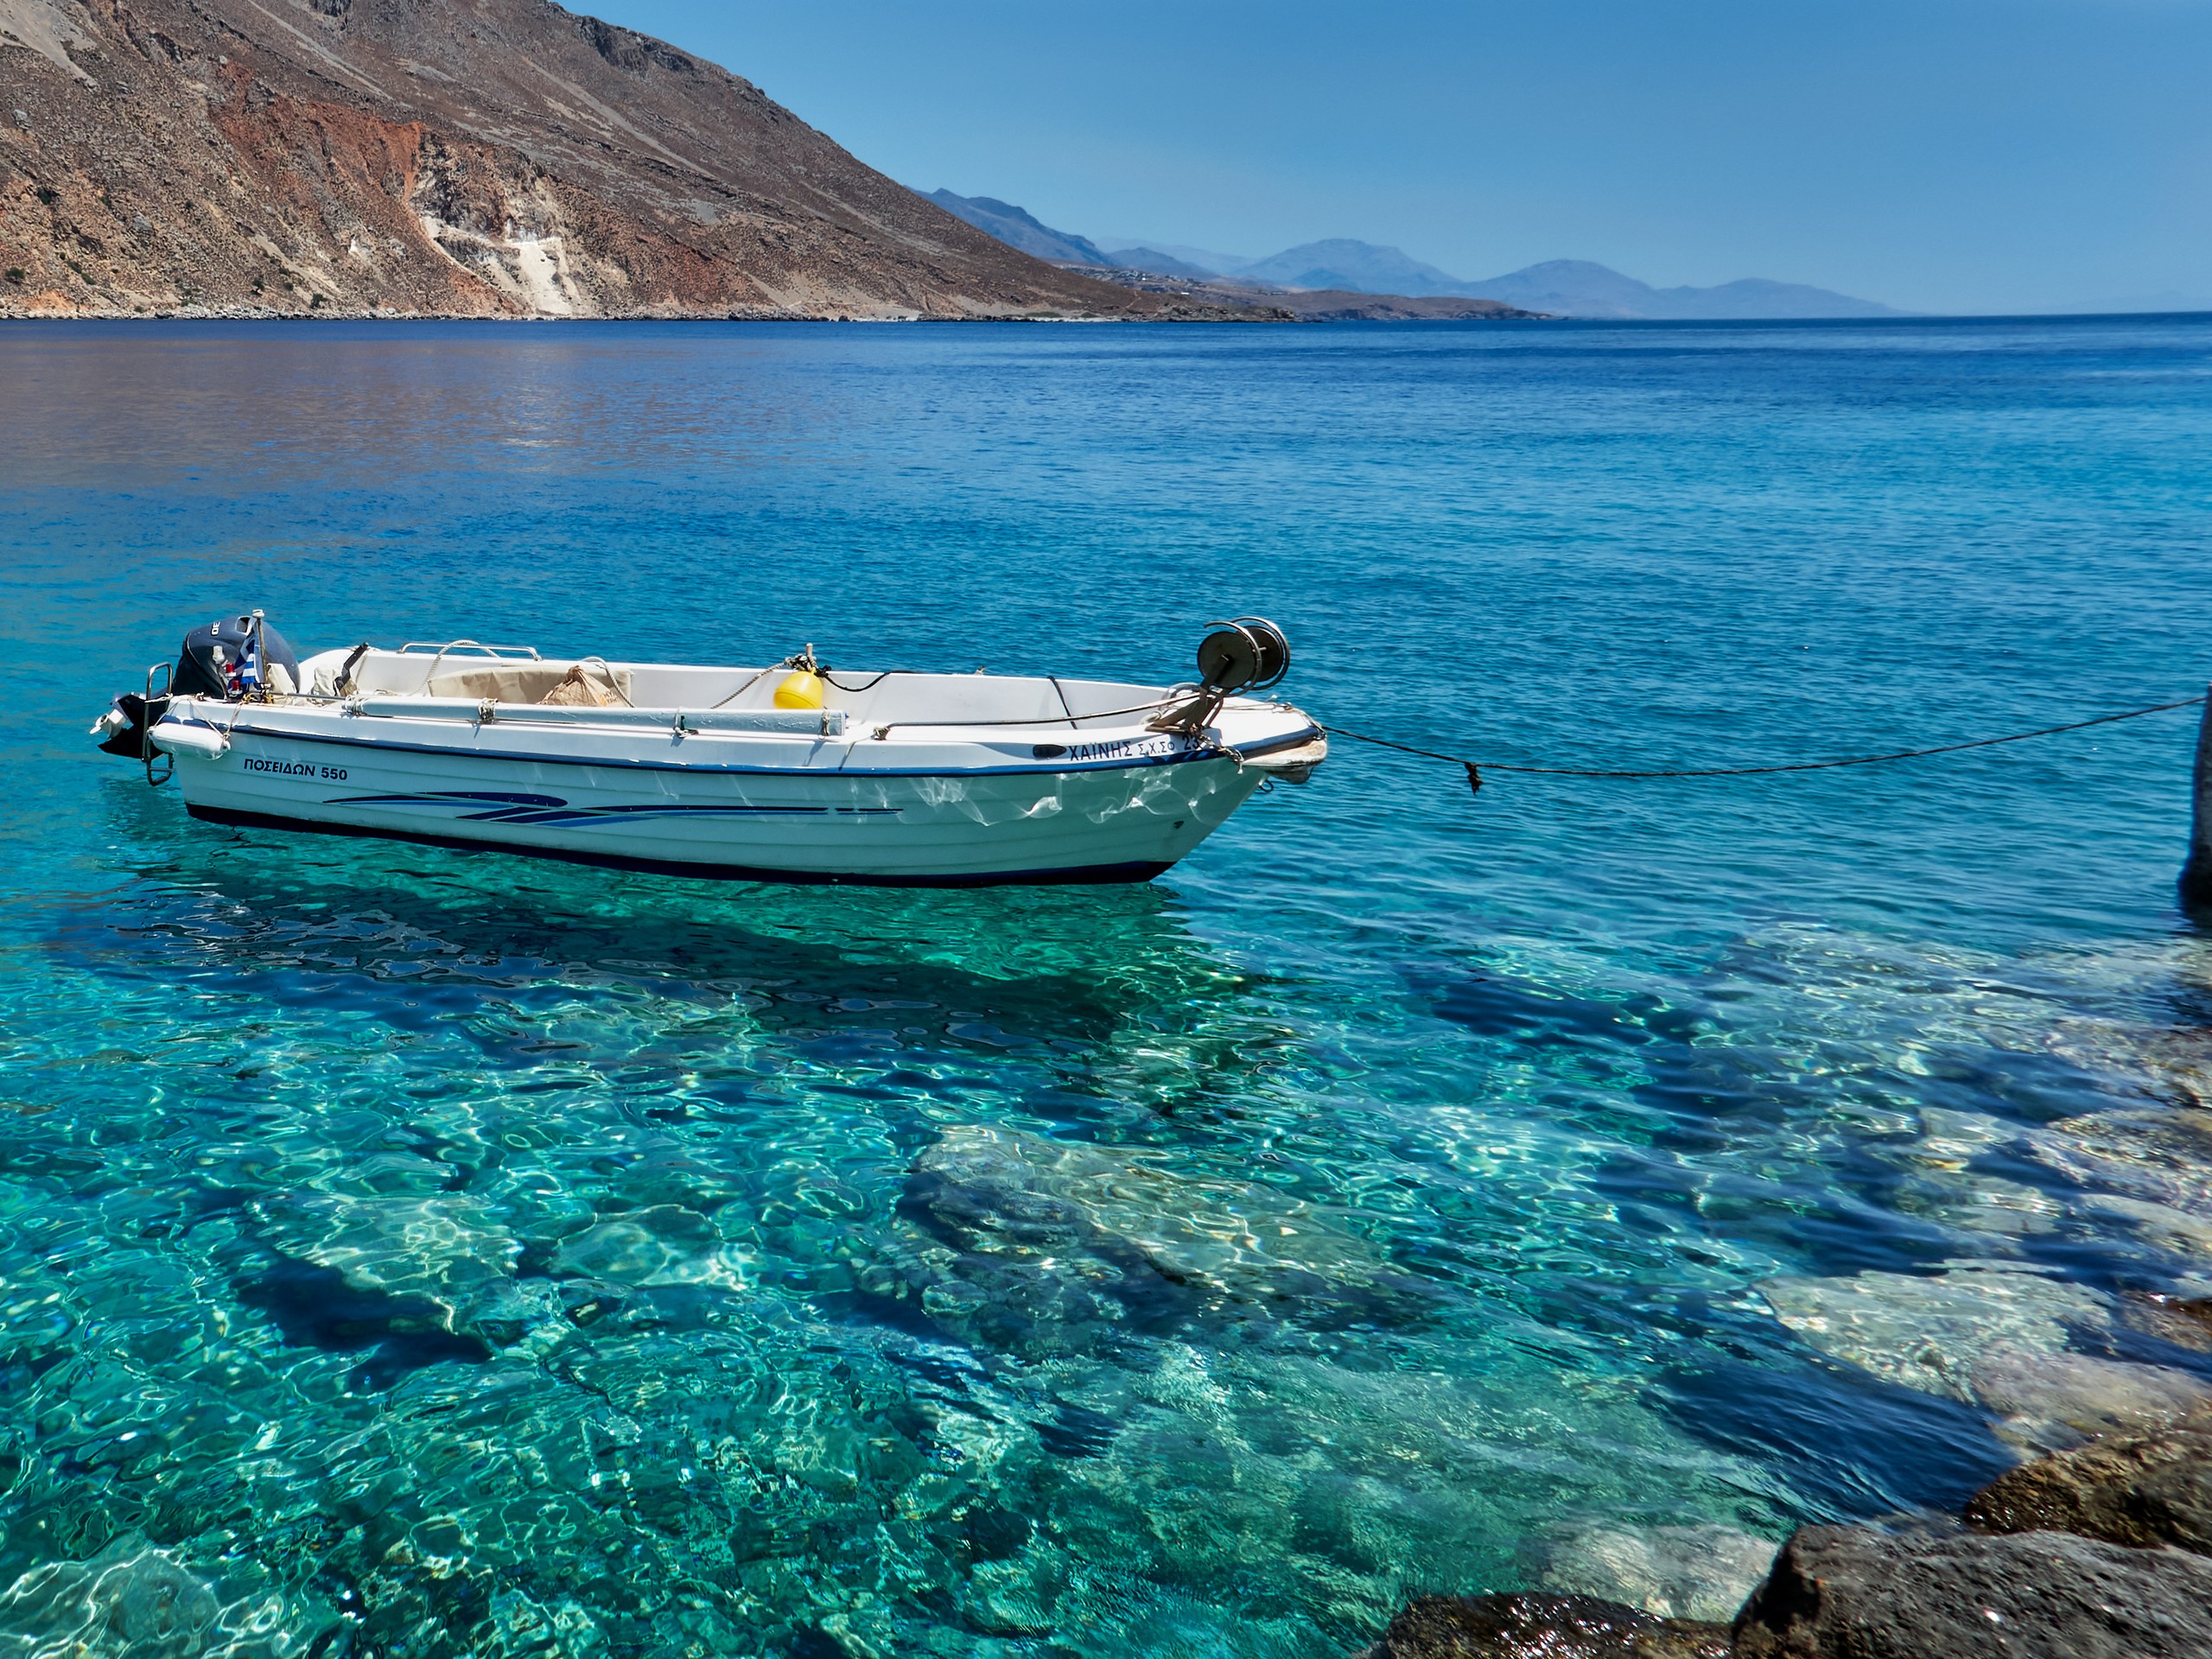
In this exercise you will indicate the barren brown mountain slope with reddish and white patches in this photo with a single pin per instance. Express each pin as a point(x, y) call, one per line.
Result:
point(450, 158)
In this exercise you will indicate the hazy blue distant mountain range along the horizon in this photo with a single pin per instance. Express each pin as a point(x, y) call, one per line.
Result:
point(1558, 286)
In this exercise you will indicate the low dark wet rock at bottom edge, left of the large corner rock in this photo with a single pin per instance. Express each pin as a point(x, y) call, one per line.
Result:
point(1543, 1627)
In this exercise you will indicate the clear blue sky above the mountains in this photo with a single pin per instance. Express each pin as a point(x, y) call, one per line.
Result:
point(1957, 156)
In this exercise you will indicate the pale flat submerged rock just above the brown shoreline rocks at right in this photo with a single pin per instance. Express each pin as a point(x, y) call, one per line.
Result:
point(1928, 1333)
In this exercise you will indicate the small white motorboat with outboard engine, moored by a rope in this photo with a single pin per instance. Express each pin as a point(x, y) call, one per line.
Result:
point(782, 773)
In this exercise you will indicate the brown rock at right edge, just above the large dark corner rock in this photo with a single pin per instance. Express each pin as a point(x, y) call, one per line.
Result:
point(2140, 1492)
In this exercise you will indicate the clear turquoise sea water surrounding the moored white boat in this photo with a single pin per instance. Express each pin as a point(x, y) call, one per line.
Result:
point(419, 1253)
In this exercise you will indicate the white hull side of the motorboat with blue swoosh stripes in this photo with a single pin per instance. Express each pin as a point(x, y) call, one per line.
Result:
point(766, 808)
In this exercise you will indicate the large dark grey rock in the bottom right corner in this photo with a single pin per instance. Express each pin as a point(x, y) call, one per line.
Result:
point(1857, 1594)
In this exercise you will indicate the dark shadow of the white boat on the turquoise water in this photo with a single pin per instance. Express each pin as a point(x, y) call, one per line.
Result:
point(1058, 979)
